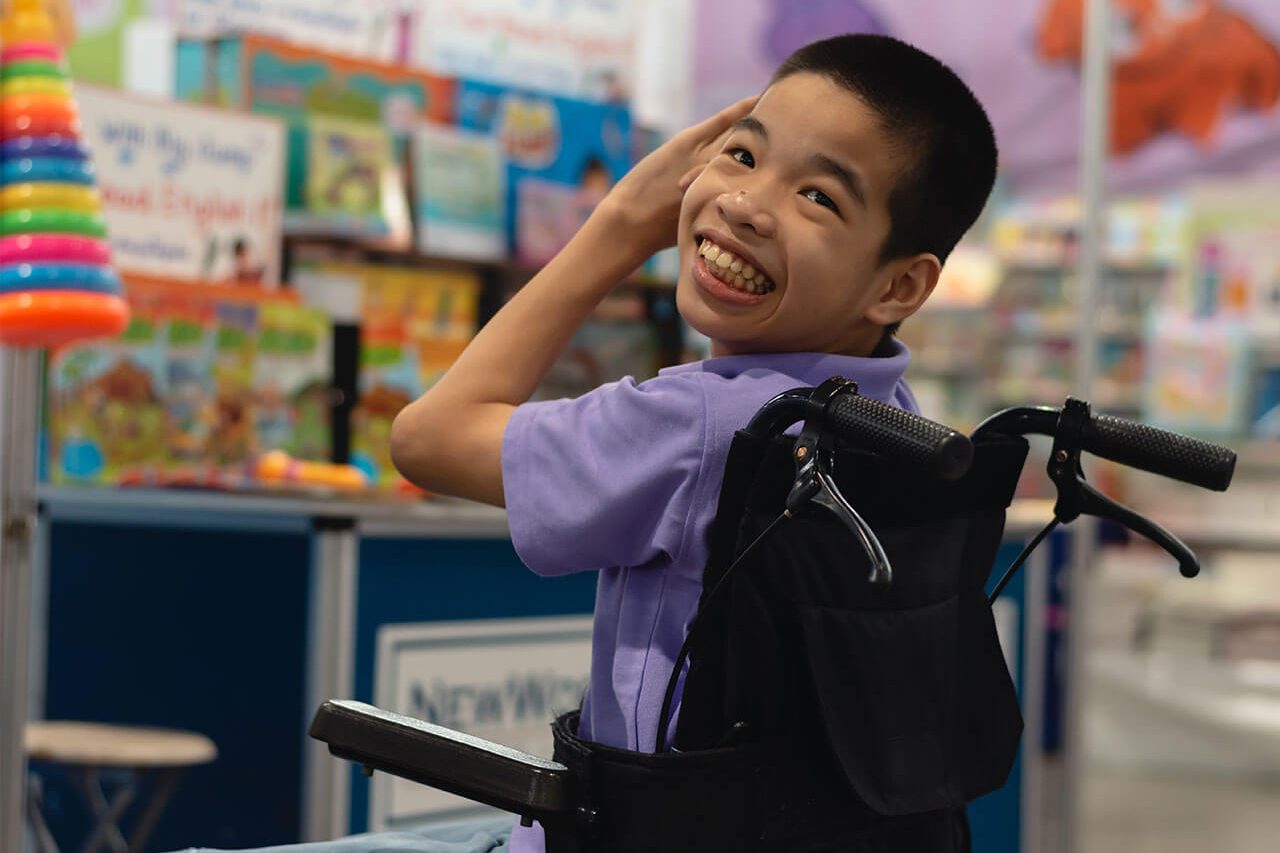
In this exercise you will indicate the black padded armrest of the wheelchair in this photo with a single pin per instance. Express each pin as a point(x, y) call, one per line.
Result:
point(460, 764)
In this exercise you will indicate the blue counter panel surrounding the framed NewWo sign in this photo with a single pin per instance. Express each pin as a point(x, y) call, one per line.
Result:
point(423, 581)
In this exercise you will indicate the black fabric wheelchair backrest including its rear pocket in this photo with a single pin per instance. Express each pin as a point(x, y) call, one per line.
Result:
point(907, 686)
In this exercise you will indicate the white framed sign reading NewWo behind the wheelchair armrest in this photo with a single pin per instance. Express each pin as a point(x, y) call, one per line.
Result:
point(504, 681)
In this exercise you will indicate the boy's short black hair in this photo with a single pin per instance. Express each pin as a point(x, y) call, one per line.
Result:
point(941, 129)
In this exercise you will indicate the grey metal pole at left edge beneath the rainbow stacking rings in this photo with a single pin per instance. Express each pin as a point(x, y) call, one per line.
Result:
point(20, 402)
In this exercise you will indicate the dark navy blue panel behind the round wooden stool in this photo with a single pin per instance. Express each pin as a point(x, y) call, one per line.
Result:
point(200, 631)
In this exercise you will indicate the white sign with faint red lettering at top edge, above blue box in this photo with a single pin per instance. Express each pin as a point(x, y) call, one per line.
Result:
point(573, 48)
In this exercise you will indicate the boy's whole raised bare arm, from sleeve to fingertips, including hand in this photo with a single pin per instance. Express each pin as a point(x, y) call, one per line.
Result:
point(450, 440)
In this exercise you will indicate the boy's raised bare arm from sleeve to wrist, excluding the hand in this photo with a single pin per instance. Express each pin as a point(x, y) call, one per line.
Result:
point(450, 439)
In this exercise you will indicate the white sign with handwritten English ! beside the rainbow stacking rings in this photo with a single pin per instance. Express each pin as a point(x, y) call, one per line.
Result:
point(189, 193)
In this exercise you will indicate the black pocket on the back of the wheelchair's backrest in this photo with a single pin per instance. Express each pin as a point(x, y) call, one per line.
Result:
point(917, 705)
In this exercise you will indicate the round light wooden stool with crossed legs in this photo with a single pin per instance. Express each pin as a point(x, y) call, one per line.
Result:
point(88, 749)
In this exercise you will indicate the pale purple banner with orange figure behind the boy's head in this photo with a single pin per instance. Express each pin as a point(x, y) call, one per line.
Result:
point(1195, 90)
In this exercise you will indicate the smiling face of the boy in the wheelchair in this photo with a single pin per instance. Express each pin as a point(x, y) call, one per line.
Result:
point(799, 197)
